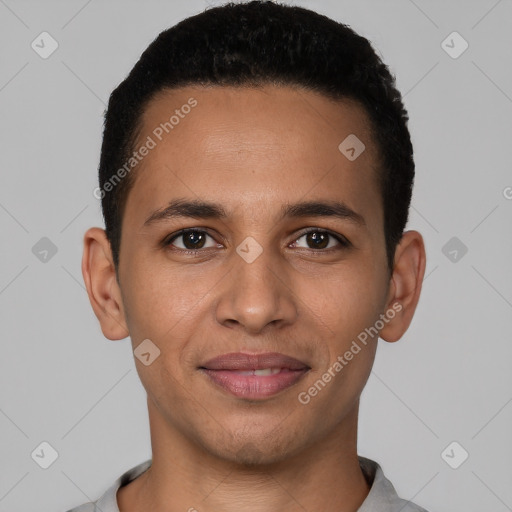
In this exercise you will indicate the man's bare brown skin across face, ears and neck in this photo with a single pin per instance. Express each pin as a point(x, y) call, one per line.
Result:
point(252, 150)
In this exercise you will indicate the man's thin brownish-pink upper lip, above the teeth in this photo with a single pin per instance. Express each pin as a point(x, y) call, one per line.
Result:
point(245, 361)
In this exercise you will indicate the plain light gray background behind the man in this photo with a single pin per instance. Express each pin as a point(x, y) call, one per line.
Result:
point(447, 380)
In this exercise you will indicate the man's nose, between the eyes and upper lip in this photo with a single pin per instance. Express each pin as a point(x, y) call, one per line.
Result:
point(256, 295)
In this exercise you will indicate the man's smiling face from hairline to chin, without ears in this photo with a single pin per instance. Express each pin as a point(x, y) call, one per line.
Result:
point(262, 272)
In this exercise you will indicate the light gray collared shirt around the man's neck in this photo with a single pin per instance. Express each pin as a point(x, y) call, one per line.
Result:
point(381, 498)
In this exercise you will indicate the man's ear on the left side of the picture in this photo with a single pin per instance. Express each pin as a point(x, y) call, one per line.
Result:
point(101, 282)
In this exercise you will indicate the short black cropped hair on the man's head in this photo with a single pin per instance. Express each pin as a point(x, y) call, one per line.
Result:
point(254, 44)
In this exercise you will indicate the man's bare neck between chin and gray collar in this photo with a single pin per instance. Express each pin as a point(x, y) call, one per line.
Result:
point(186, 477)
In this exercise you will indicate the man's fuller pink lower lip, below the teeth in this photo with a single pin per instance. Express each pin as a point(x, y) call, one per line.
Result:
point(254, 386)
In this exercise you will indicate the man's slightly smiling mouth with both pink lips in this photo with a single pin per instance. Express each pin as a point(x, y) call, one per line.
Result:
point(254, 376)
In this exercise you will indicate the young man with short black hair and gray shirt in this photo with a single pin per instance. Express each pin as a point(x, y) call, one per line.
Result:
point(255, 176)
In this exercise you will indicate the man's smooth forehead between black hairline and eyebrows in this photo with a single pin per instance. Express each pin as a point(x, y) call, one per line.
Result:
point(253, 149)
